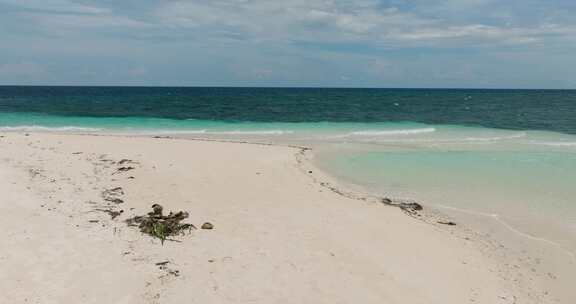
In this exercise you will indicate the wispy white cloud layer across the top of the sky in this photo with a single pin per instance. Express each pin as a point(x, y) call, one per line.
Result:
point(315, 21)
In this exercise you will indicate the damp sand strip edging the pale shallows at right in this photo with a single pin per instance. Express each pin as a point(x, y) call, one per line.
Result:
point(555, 262)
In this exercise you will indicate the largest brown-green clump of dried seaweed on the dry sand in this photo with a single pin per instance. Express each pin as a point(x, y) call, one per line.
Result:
point(161, 226)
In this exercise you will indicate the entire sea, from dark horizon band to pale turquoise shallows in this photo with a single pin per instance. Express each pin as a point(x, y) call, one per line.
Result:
point(507, 155)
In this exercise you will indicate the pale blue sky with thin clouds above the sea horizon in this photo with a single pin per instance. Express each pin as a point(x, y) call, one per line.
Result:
point(296, 43)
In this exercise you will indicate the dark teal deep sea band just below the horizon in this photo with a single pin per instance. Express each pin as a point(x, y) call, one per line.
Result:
point(551, 110)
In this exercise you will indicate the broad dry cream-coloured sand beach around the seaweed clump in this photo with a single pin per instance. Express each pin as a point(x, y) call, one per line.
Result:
point(281, 234)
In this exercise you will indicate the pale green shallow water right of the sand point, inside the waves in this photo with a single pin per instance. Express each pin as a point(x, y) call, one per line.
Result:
point(524, 179)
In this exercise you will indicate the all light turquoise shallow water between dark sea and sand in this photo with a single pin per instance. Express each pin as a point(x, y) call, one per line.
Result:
point(475, 168)
